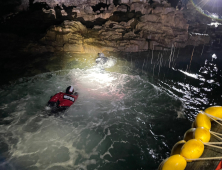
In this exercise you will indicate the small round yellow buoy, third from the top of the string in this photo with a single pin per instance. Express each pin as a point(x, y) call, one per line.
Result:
point(202, 134)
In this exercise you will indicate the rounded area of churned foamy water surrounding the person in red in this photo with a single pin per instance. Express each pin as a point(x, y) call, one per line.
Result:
point(119, 121)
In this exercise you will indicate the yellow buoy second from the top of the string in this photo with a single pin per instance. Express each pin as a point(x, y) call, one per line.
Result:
point(203, 120)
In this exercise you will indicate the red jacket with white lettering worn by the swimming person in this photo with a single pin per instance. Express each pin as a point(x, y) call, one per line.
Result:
point(63, 99)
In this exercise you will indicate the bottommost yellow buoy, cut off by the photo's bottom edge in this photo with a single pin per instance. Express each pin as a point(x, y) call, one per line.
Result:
point(175, 162)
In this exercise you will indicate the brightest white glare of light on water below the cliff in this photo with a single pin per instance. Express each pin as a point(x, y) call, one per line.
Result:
point(96, 83)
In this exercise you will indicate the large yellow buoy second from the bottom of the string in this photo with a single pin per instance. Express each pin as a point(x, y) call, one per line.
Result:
point(192, 149)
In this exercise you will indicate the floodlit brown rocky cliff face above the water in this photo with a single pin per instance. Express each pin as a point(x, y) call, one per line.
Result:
point(105, 25)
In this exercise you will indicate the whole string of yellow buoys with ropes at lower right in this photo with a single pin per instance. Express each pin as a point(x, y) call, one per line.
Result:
point(192, 147)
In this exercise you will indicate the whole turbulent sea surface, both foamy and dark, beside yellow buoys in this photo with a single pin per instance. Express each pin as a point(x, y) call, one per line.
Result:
point(127, 116)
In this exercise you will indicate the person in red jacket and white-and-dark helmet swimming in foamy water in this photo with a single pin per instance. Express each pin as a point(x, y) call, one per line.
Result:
point(61, 101)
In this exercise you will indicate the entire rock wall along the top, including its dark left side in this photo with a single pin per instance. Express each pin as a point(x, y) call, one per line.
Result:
point(92, 25)
